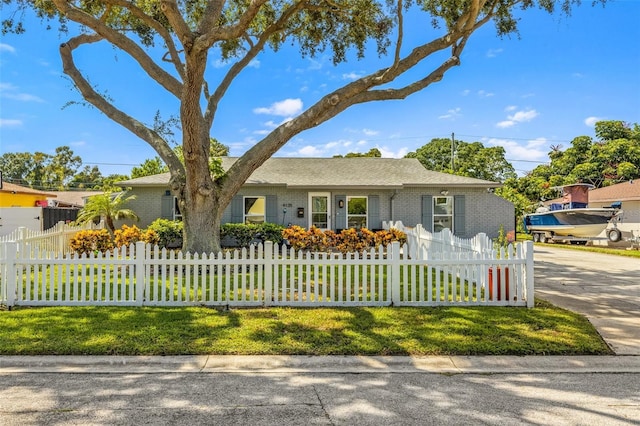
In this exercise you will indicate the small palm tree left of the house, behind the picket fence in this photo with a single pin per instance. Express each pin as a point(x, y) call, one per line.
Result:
point(107, 206)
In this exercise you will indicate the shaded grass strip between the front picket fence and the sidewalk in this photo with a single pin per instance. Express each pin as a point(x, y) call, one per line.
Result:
point(543, 330)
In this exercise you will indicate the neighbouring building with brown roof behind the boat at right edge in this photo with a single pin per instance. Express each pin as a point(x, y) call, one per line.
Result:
point(629, 194)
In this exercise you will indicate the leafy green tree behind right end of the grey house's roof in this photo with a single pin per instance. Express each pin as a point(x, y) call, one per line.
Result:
point(470, 159)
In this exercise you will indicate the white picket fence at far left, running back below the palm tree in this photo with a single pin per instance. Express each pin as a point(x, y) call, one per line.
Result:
point(55, 239)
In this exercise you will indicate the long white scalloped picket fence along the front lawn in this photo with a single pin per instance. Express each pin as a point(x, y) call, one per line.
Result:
point(265, 275)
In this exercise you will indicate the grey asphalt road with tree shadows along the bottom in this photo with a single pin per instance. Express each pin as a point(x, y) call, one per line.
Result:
point(323, 399)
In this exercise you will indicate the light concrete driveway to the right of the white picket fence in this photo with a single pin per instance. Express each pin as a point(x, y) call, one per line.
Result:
point(604, 288)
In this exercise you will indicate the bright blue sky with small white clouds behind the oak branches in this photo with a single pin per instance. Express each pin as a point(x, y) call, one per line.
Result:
point(526, 94)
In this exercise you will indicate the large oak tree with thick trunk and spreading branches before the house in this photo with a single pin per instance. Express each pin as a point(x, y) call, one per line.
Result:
point(239, 30)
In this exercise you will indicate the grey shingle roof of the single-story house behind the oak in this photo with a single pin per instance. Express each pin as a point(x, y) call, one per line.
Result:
point(355, 172)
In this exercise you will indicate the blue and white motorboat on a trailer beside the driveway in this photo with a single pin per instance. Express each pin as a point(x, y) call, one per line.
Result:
point(572, 219)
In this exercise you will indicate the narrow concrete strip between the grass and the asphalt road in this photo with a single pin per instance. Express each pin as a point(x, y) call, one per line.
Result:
point(319, 364)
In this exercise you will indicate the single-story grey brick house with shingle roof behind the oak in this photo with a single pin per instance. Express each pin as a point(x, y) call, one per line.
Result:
point(339, 193)
